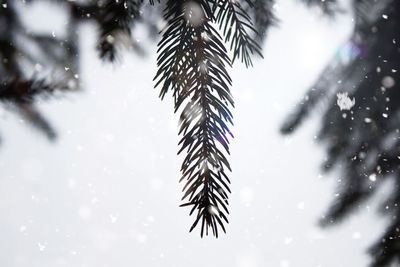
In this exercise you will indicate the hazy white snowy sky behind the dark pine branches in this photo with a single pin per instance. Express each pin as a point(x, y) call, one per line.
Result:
point(107, 193)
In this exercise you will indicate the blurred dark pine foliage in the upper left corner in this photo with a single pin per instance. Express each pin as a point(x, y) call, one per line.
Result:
point(33, 65)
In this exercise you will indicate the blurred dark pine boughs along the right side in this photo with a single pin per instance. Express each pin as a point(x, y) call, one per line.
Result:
point(363, 142)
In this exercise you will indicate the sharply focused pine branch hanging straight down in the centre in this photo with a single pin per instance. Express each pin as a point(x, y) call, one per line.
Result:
point(192, 64)
